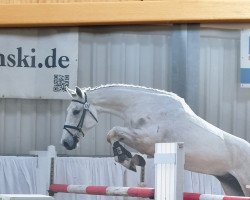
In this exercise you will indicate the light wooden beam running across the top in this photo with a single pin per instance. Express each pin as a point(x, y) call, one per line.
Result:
point(124, 12)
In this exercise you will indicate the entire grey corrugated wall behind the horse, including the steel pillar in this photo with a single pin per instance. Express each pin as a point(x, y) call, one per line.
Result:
point(200, 65)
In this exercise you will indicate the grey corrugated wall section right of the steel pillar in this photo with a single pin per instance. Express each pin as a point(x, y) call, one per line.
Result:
point(222, 101)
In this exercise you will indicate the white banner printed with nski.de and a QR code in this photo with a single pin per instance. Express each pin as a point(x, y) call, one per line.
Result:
point(38, 63)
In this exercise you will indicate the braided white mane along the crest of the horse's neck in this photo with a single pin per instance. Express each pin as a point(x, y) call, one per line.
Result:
point(146, 89)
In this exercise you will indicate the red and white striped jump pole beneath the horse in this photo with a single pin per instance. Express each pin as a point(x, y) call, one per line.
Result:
point(132, 192)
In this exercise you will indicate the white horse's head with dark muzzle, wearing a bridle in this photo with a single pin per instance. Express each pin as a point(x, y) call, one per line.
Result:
point(81, 116)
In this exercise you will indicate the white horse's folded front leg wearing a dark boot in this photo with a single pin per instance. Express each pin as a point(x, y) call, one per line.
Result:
point(122, 155)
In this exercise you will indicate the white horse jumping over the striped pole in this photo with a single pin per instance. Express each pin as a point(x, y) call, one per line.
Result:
point(152, 116)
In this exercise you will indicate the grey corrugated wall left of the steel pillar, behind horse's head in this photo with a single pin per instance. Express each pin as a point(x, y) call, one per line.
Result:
point(106, 55)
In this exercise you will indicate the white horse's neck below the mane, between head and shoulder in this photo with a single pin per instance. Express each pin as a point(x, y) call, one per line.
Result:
point(114, 100)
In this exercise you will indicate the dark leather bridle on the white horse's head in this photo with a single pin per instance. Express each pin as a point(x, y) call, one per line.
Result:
point(80, 124)
